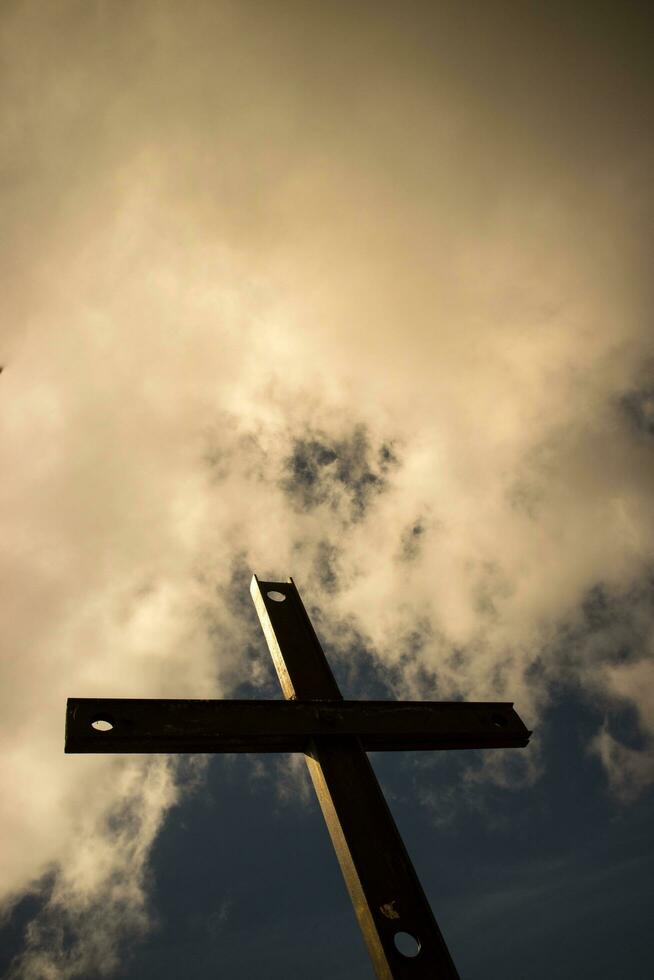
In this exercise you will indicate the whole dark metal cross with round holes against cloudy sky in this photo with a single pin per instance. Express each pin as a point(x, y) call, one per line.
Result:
point(399, 928)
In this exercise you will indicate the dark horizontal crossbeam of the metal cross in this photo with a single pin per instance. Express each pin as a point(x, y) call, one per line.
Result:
point(168, 725)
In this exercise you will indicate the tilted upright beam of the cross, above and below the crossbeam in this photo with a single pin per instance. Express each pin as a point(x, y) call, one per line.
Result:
point(386, 894)
